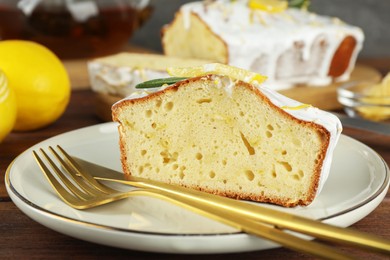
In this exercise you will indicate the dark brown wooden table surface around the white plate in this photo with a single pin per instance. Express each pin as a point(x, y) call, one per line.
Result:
point(22, 238)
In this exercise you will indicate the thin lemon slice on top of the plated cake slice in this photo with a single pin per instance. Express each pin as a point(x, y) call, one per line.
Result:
point(220, 69)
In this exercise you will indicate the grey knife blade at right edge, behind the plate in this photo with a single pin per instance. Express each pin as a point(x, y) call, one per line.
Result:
point(362, 124)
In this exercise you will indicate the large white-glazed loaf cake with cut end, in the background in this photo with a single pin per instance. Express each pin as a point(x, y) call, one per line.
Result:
point(290, 46)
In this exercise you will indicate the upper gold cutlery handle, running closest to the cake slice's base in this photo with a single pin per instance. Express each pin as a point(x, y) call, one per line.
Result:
point(269, 216)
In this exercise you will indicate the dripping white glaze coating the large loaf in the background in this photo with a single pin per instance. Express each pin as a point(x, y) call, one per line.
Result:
point(257, 39)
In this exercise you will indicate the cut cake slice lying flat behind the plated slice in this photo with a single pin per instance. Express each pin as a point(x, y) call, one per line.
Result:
point(118, 74)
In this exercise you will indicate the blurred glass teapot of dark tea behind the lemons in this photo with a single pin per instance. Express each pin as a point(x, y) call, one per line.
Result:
point(74, 28)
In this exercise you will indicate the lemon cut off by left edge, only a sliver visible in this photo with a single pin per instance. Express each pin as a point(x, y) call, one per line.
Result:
point(7, 107)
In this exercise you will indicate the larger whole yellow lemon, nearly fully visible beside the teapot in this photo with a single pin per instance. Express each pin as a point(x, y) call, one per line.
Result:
point(39, 80)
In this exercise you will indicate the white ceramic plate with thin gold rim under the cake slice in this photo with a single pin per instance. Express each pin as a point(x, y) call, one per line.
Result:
point(358, 182)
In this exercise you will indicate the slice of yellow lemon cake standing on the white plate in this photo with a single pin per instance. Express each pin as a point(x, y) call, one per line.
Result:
point(228, 137)
